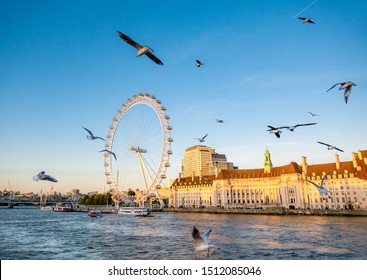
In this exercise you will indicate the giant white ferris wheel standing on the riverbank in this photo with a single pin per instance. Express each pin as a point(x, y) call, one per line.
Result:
point(140, 141)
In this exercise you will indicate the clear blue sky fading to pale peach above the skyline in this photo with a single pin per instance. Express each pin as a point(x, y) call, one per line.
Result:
point(62, 66)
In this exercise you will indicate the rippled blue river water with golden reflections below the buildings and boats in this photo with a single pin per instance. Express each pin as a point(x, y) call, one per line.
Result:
point(29, 233)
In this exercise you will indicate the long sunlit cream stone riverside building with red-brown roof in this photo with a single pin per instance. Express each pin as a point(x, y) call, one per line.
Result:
point(280, 186)
